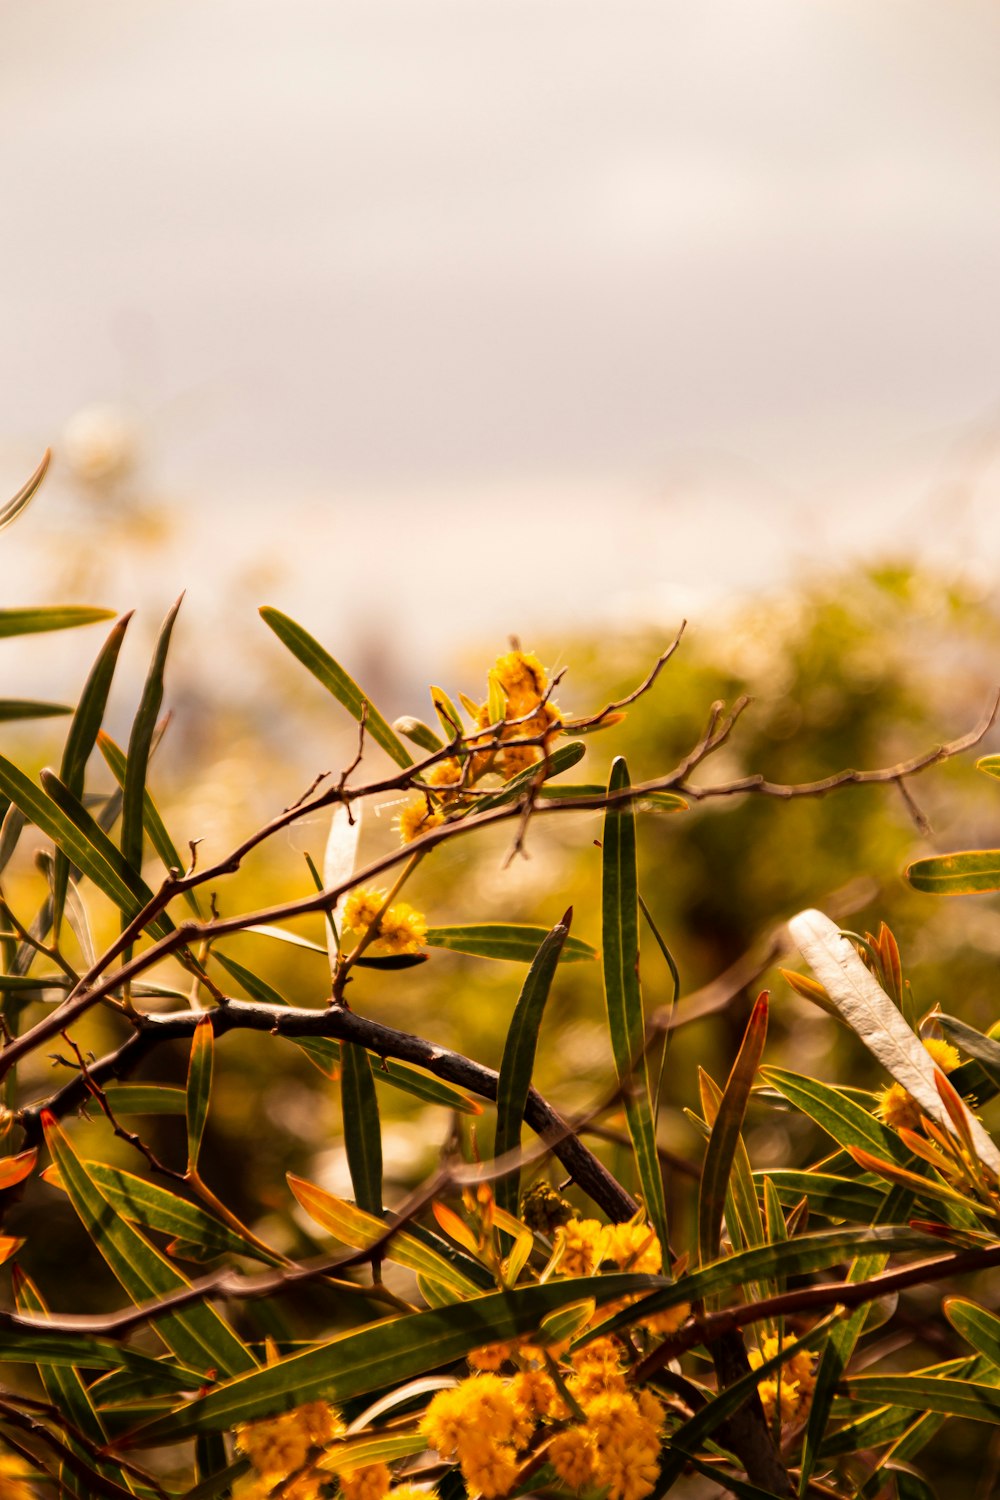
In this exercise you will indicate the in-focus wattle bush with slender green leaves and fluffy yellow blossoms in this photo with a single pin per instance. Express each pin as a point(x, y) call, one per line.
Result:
point(537, 1315)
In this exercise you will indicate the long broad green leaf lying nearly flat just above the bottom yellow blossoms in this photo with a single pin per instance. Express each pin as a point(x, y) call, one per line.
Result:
point(385, 1355)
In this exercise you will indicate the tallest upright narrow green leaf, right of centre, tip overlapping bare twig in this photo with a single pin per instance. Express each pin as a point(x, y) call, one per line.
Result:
point(620, 928)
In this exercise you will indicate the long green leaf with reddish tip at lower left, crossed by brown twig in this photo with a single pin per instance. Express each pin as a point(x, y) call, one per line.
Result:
point(199, 1336)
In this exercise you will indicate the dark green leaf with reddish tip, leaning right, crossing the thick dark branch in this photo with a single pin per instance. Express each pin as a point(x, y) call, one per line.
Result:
point(519, 1057)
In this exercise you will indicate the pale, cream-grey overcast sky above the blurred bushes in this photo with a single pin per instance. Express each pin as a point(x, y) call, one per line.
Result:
point(686, 289)
